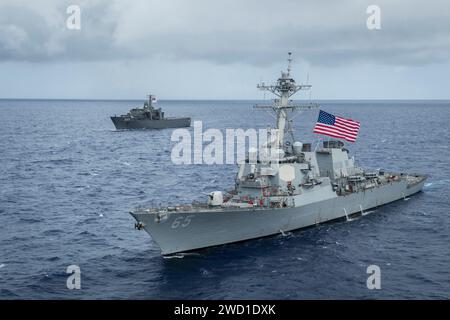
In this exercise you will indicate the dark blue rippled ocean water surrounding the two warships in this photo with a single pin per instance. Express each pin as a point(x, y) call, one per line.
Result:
point(68, 180)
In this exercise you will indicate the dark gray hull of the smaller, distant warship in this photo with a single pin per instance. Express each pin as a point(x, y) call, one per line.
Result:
point(124, 123)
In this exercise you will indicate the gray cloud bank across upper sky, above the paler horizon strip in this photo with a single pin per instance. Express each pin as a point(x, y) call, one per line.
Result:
point(253, 32)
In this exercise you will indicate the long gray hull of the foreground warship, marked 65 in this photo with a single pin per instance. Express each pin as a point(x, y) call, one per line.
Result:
point(176, 232)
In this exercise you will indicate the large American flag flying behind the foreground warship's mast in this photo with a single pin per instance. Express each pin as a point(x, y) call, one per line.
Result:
point(336, 127)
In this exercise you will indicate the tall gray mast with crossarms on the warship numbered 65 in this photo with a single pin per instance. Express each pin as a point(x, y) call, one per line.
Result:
point(284, 89)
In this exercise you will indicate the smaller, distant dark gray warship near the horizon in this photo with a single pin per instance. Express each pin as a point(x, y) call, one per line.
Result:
point(148, 117)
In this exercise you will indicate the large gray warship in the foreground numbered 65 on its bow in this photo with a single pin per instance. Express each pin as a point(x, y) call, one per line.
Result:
point(301, 188)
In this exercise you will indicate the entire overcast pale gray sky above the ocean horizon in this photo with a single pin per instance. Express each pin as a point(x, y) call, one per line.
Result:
point(209, 49)
